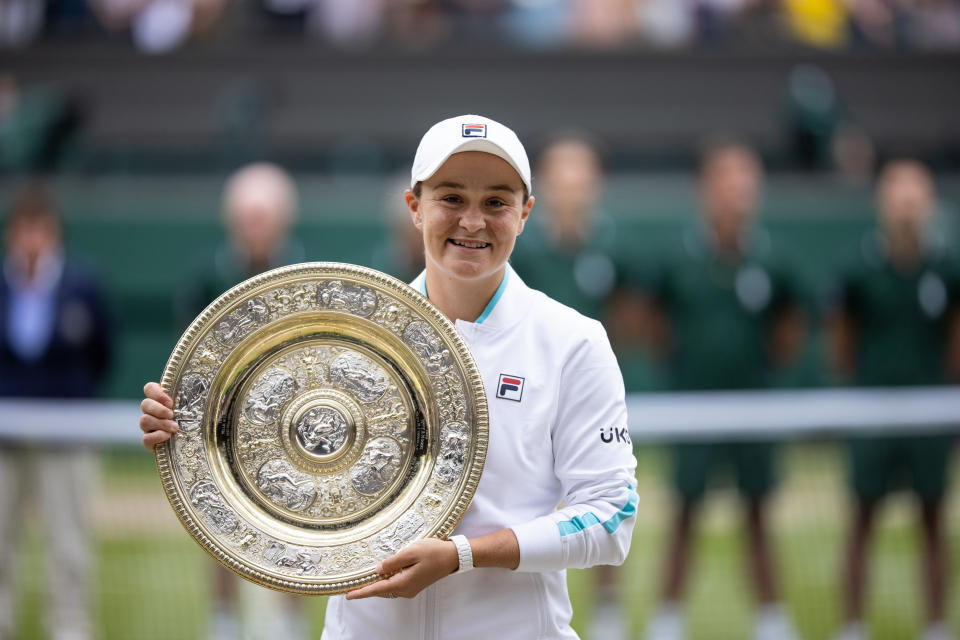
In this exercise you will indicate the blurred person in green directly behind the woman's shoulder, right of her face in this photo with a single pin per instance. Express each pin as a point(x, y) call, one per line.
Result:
point(566, 248)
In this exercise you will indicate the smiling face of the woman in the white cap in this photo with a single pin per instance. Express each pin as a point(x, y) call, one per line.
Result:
point(470, 213)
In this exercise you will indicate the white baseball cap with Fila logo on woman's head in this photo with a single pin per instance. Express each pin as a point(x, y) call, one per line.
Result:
point(468, 133)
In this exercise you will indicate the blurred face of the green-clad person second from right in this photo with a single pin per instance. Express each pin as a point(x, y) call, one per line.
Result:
point(730, 189)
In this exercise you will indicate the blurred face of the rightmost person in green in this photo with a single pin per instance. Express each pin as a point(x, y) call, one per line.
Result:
point(905, 200)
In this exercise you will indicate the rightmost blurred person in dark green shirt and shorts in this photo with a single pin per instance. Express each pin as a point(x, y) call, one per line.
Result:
point(897, 323)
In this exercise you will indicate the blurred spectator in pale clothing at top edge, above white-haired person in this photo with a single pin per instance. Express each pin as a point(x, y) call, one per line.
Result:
point(158, 26)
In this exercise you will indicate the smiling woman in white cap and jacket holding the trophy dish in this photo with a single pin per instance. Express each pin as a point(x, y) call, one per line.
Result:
point(558, 423)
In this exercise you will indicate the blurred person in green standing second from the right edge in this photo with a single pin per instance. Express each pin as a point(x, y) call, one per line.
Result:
point(724, 316)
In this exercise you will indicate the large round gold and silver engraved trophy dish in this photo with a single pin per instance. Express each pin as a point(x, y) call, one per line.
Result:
point(329, 415)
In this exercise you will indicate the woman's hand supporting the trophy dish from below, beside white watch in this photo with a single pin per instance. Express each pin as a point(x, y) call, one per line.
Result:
point(412, 570)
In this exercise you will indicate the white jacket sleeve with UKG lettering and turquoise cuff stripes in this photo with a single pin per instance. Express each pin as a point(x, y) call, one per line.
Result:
point(594, 462)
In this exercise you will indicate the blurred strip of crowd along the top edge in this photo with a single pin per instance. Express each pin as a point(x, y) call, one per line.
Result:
point(159, 26)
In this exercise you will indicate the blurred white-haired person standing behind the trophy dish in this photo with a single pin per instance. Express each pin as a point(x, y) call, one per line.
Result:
point(259, 208)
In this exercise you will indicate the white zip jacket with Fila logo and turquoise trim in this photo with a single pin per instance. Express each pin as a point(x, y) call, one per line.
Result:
point(558, 434)
